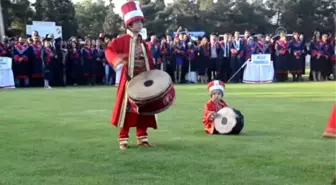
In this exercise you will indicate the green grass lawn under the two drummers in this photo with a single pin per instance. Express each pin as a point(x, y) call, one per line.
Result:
point(63, 137)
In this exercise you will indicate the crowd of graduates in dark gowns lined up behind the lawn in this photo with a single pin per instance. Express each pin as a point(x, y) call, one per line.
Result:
point(46, 61)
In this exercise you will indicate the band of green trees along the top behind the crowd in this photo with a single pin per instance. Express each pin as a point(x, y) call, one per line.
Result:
point(260, 16)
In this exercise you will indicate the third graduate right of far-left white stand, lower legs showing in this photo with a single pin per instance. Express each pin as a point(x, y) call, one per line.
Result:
point(48, 56)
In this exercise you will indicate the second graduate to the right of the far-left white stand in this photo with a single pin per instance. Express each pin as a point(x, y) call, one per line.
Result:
point(37, 69)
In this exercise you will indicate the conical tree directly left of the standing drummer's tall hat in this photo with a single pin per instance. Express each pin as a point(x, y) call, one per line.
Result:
point(112, 23)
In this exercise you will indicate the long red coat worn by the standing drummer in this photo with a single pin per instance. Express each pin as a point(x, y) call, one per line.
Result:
point(120, 116)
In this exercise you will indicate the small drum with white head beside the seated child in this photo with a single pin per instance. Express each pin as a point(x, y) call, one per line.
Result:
point(230, 121)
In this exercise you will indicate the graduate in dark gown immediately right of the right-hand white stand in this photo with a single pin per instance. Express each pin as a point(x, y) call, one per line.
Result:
point(281, 61)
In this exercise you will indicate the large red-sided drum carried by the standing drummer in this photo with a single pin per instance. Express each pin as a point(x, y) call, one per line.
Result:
point(152, 91)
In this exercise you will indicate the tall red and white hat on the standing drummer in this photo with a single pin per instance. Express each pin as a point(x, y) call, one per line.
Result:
point(131, 11)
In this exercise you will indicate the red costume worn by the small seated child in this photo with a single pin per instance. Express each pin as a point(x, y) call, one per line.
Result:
point(210, 107)
